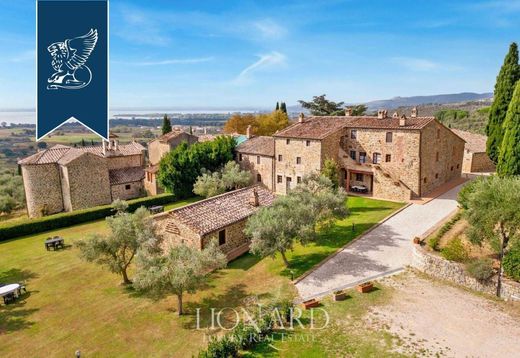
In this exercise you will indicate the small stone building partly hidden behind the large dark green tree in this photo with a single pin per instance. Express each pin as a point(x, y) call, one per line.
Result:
point(157, 149)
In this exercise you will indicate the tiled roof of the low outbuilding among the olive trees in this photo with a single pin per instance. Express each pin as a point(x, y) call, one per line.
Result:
point(222, 210)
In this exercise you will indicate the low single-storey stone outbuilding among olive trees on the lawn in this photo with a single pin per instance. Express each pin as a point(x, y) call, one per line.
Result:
point(221, 218)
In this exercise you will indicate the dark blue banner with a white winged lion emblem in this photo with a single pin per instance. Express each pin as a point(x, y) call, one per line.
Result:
point(72, 65)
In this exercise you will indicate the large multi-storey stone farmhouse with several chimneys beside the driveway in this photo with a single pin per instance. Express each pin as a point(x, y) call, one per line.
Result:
point(396, 158)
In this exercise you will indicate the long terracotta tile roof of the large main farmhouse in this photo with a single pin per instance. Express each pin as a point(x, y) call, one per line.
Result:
point(320, 127)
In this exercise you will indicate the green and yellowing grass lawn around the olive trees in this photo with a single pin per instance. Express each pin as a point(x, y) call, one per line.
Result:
point(76, 305)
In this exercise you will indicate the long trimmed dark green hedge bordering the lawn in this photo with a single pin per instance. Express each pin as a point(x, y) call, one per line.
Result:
point(16, 228)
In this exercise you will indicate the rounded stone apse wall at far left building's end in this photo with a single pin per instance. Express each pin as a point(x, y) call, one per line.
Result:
point(42, 188)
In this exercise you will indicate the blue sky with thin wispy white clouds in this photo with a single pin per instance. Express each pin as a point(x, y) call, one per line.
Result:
point(240, 53)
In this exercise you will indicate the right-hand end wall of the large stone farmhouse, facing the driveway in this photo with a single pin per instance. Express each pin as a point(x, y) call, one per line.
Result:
point(436, 138)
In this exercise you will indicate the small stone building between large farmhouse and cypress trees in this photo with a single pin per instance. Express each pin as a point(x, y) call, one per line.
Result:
point(476, 159)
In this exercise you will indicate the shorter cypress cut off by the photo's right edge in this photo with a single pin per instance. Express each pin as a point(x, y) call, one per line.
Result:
point(509, 158)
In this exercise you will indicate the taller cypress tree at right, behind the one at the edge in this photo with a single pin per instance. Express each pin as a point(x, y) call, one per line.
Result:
point(504, 87)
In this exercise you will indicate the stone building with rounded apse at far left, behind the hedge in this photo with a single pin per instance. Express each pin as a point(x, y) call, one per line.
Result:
point(64, 178)
